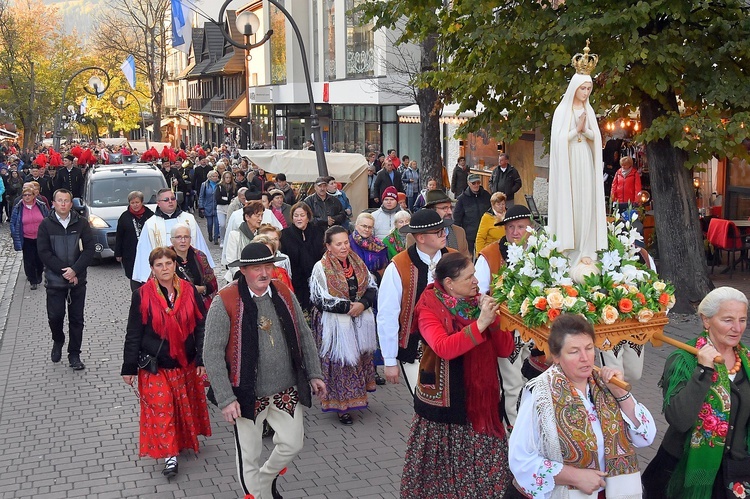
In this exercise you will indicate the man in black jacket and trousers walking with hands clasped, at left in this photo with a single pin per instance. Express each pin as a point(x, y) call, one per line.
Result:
point(65, 245)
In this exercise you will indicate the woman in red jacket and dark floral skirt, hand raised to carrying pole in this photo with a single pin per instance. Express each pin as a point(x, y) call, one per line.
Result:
point(458, 446)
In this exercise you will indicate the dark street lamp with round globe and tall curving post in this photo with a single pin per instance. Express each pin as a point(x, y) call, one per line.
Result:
point(247, 23)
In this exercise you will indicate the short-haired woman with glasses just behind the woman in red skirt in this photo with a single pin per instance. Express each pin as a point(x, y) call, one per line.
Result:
point(192, 264)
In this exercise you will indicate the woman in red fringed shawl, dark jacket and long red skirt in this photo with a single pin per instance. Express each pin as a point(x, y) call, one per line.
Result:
point(166, 323)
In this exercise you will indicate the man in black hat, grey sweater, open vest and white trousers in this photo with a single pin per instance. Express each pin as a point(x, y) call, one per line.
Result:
point(261, 360)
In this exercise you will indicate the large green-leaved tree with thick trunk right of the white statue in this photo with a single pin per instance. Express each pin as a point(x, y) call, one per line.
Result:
point(681, 64)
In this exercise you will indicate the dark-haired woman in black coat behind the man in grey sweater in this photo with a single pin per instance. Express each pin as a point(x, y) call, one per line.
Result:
point(303, 243)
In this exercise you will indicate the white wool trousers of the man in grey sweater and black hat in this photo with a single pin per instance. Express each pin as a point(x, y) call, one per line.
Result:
point(288, 439)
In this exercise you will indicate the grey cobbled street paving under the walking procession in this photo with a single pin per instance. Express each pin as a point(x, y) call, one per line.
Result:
point(74, 434)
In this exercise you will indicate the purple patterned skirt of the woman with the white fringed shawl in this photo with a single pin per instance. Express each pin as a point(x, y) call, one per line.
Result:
point(347, 386)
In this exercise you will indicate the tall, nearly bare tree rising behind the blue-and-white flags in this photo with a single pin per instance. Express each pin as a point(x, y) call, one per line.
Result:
point(140, 28)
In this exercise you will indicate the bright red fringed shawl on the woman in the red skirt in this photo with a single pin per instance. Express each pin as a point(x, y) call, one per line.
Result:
point(172, 324)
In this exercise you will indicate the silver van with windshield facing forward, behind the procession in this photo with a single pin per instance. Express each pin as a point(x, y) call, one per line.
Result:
point(105, 198)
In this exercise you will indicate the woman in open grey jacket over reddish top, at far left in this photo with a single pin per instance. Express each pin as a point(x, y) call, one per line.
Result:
point(24, 224)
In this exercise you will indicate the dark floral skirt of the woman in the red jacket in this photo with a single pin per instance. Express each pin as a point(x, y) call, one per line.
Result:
point(452, 461)
